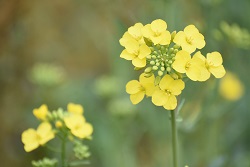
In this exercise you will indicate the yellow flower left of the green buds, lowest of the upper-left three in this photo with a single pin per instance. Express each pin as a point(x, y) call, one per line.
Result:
point(135, 52)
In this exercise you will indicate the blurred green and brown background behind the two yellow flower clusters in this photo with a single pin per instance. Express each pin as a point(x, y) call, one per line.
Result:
point(56, 52)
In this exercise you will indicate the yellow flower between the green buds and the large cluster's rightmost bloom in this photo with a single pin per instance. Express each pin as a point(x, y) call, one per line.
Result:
point(194, 67)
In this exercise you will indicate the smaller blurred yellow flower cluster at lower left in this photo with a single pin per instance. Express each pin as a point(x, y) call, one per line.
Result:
point(68, 125)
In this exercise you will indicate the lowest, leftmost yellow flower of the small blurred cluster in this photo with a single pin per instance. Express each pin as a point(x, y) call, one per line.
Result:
point(32, 138)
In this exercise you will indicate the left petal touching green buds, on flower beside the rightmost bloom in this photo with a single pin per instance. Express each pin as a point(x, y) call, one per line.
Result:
point(181, 59)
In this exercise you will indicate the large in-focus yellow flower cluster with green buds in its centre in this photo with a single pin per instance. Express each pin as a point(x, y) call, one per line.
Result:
point(167, 58)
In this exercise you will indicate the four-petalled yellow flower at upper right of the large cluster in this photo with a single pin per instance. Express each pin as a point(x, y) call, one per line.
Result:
point(190, 39)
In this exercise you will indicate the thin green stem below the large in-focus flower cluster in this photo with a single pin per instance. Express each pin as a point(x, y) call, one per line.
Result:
point(174, 138)
